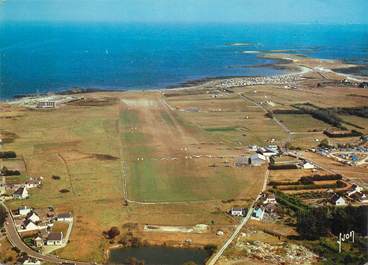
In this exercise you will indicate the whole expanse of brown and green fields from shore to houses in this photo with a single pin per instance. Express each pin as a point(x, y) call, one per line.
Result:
point(160, 158)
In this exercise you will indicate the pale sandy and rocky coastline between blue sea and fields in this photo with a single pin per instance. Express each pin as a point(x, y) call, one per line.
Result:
point(293, 64)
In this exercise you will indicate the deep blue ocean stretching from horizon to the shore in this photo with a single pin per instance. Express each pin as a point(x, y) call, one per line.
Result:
point(44, 57)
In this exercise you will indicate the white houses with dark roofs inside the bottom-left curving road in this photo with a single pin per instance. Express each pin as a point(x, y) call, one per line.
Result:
point(39, 223)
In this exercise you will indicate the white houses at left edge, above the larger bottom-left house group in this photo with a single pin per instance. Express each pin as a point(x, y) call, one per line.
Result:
point(19, 191)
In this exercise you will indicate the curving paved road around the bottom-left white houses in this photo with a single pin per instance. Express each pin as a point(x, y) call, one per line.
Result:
point(16, 241)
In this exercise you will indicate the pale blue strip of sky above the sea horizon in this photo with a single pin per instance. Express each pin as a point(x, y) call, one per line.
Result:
point(296, 11)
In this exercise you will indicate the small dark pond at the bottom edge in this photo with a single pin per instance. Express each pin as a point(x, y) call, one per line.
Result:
point(159, 255)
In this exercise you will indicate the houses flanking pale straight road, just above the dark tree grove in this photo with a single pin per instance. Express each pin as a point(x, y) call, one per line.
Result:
point(265, 205)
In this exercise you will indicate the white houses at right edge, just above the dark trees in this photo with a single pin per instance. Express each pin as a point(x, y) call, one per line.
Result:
point(354, 194)
